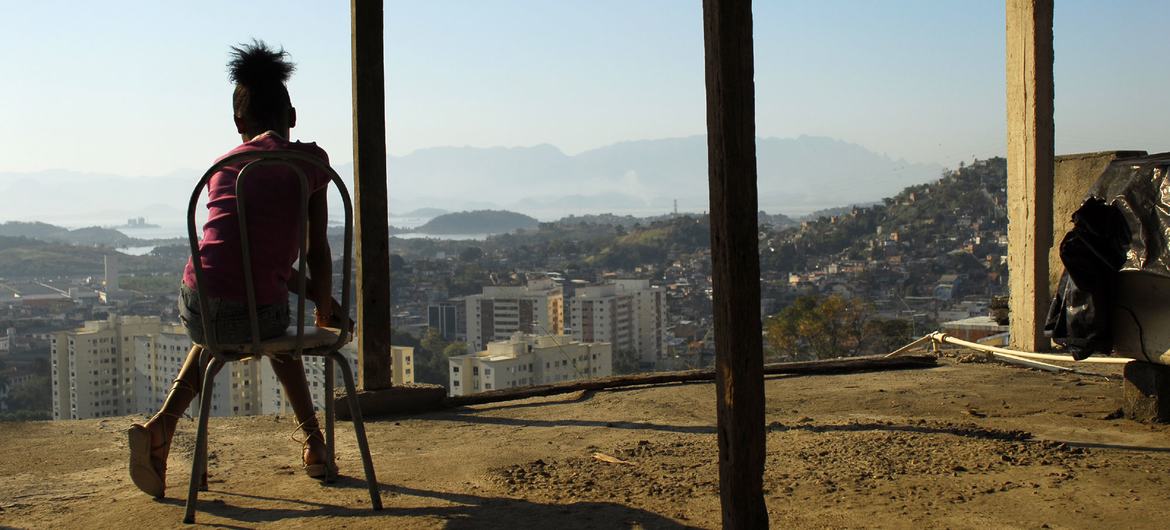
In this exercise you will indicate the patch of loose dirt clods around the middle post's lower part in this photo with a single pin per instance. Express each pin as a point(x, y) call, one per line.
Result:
point(808, 460)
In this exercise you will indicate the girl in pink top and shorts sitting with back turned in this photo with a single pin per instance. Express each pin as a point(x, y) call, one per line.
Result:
point(264, 116)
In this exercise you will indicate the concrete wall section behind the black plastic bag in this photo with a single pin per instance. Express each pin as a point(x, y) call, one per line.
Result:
point(1073, 177)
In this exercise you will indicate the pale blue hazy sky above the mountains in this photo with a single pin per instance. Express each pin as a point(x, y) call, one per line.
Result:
point(141, 88)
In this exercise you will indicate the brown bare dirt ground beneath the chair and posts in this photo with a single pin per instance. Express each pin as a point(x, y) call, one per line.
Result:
point(960, 446)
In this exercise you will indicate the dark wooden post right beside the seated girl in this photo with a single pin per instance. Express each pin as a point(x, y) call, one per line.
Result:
point(371, 221)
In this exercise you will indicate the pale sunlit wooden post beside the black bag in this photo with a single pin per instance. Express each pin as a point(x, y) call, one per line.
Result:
point(1030, 169)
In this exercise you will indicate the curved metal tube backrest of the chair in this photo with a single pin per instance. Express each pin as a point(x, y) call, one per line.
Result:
point(254, 161)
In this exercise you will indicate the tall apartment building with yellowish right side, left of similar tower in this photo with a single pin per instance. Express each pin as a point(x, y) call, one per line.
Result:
point(503, 311)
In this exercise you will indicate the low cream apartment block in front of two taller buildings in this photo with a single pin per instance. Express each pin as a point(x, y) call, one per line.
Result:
point(529, 360)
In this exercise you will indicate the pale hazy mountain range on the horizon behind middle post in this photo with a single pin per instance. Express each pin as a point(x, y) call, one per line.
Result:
point(645, 177)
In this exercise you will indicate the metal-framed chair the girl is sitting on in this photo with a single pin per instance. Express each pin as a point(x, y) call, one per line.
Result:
point(299, 340)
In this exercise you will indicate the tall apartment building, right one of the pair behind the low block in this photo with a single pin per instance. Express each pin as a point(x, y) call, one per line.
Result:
point(629, 314)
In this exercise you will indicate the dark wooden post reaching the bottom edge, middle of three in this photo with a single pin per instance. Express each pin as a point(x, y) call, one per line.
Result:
point(735, 260)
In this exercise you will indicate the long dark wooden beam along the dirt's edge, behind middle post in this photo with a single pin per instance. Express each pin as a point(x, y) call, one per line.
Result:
point(811, 368)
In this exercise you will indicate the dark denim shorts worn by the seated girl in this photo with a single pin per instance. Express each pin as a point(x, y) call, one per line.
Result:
point(230, 319)
